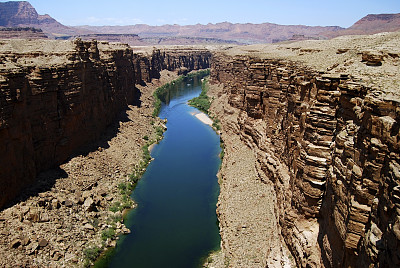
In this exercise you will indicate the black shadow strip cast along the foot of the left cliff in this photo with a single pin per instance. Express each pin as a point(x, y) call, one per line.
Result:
point(46, 180)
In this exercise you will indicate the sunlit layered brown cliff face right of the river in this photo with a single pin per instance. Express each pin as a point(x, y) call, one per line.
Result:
point(330, 146)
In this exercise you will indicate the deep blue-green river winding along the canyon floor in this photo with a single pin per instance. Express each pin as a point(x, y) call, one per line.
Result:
point(175, 223)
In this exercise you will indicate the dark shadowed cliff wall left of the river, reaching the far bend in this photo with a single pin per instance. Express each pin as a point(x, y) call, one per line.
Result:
point(54, 101)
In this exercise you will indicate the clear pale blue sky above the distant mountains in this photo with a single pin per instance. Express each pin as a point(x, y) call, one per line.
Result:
point(158, 12)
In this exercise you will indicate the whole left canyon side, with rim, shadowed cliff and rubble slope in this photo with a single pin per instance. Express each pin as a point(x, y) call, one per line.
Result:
point(73, 119)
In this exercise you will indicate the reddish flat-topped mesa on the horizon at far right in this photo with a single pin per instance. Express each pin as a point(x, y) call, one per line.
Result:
point(371, 24)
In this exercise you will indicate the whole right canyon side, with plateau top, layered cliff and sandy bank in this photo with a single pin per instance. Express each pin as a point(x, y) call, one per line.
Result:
point(311, 131)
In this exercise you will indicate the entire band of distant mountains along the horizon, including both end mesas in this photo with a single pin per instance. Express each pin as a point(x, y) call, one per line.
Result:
point(21, 14)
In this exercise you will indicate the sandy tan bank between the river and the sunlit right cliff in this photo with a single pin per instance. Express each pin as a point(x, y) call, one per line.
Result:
point(245, 206)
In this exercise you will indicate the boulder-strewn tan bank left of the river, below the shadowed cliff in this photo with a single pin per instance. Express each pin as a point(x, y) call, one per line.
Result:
point(80, 212)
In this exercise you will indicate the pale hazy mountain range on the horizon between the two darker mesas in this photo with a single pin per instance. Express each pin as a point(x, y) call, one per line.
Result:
point(243, 33)
